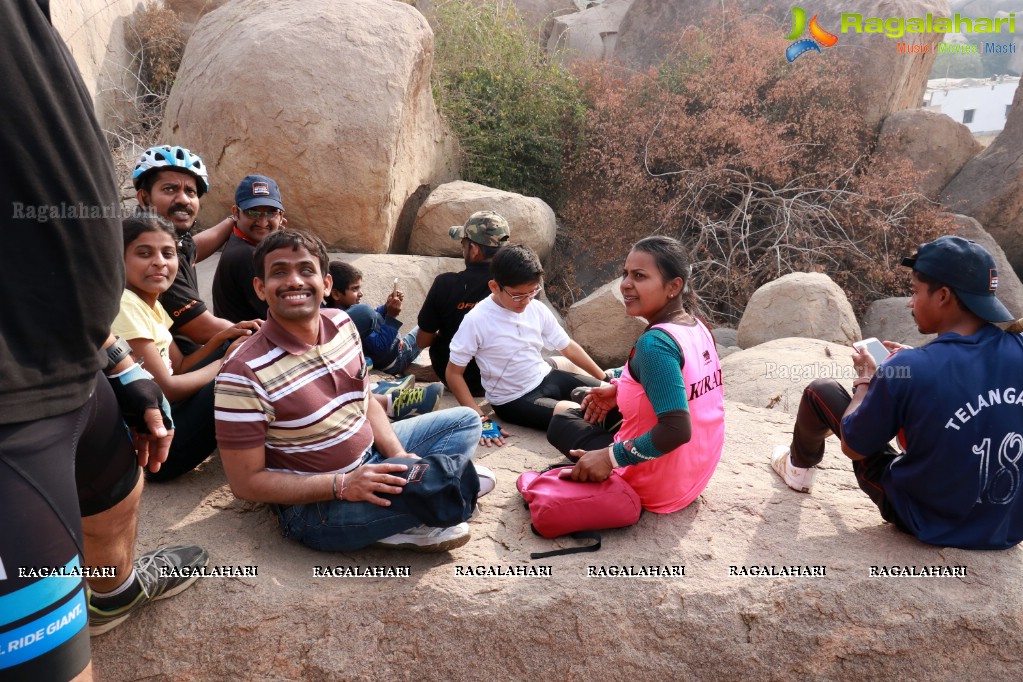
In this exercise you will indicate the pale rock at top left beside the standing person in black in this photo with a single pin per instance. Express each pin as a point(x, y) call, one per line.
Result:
point(96, 37)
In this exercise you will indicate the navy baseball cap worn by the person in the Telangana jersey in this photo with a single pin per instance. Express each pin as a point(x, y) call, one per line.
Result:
point(968, 269)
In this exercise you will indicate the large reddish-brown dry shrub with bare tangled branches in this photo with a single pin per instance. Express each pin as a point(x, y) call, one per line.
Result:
point(761, 167)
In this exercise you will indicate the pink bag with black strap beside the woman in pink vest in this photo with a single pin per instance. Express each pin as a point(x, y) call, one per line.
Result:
point(562, 507)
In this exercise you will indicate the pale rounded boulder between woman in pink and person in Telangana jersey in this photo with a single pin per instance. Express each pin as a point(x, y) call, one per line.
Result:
point(800, 304)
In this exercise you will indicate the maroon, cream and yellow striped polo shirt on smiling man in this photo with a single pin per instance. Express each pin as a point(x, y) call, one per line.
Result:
point(306, 403)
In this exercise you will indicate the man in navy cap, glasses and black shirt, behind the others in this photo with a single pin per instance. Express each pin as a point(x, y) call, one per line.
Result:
point(257, 212)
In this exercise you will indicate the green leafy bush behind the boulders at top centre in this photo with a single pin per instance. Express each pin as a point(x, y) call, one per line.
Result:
point(514, 110)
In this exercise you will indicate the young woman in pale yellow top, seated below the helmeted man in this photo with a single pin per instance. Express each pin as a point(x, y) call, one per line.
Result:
point(151, 265)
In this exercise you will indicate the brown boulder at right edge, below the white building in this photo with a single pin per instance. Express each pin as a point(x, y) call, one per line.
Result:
point(991, 187)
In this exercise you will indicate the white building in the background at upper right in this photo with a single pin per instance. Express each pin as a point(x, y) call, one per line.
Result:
point(981, 105)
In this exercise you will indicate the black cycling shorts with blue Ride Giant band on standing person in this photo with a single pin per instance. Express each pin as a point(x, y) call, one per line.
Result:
point(47, 467)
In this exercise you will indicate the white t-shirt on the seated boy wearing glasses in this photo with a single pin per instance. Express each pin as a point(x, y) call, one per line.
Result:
point(507, 347)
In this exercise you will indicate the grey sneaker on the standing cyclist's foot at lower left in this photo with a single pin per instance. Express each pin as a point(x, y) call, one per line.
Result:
point(183, 565)
